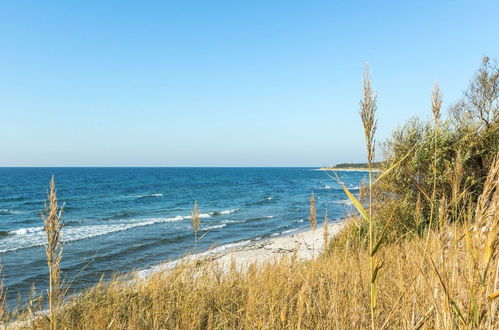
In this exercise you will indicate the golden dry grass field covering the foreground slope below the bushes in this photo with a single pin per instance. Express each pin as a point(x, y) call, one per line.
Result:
point(419, 288)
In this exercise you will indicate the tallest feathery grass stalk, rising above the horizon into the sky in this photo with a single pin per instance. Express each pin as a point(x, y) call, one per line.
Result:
point(368, 115)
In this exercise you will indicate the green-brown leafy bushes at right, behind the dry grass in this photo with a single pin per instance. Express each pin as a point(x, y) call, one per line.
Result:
point(442, 165)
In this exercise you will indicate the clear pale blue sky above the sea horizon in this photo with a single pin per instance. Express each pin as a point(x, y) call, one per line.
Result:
point(224, 83)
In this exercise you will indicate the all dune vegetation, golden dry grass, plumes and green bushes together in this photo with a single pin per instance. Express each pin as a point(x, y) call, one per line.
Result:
point(423, 254)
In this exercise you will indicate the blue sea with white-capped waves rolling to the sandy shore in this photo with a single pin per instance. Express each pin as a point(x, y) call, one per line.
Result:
point(124, 219)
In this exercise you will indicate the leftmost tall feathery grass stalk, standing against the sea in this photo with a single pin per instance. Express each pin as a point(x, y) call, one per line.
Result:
point(53, 224)
